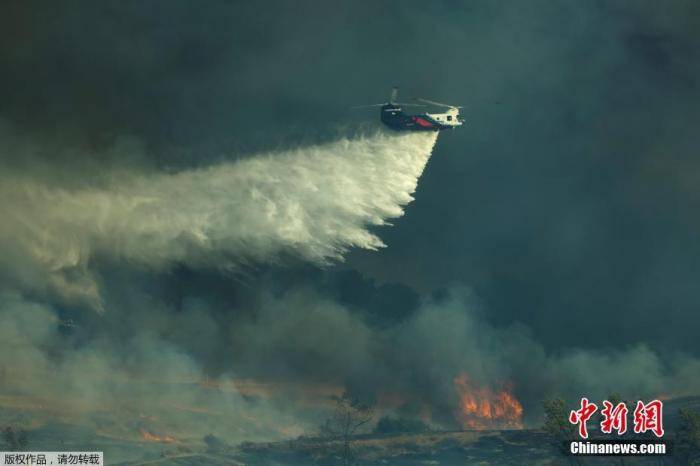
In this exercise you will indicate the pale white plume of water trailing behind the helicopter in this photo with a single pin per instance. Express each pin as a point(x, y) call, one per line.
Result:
point(313, 203)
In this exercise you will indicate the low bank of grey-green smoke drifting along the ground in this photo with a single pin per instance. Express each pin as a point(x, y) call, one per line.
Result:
point(283, 360)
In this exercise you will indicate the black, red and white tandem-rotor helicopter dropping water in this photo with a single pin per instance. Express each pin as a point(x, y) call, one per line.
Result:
point(393, 116)
